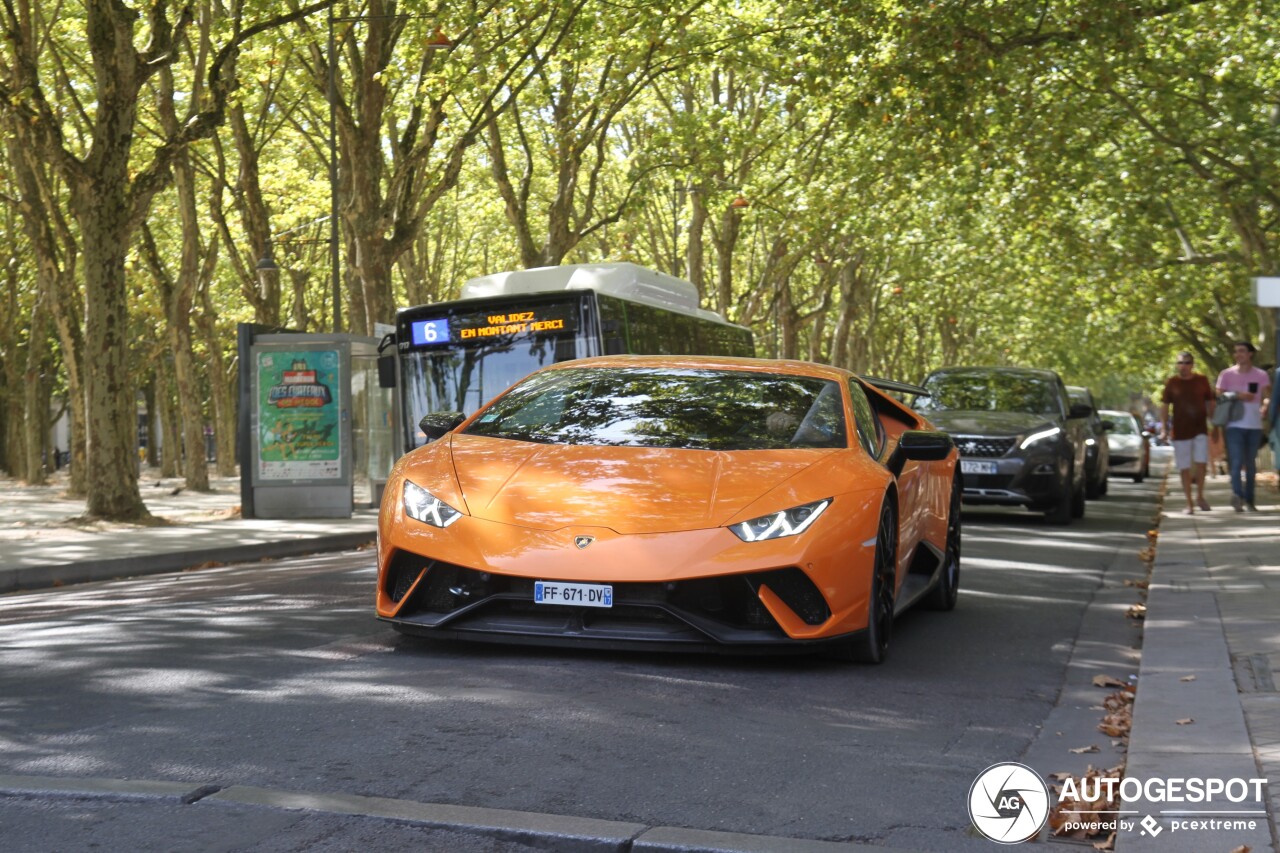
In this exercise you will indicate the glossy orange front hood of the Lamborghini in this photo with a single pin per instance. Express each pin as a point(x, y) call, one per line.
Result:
point(627, 490)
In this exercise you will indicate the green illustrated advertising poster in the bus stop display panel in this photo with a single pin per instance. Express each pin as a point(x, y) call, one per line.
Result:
point(300, 436)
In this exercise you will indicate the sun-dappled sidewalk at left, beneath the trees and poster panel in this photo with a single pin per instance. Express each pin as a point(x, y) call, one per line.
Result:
point(44, 542)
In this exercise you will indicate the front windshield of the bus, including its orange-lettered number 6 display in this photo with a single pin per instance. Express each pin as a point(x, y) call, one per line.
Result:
point(463, 357)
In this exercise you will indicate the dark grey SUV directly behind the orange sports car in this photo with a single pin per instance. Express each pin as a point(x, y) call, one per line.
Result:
point(1021, 439)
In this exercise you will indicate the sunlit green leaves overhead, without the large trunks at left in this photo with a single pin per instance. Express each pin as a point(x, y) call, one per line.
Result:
point(1086, 186)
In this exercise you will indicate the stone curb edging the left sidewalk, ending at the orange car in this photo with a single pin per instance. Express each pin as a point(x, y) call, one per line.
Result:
point(90, 571)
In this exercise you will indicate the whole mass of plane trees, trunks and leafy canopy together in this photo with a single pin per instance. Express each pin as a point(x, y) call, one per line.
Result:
point(1087, 186)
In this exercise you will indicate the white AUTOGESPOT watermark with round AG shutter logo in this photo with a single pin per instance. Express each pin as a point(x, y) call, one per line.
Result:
point(1009, 804)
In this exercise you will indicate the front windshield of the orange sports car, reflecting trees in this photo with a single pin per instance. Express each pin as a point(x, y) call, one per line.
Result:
point(717, 410)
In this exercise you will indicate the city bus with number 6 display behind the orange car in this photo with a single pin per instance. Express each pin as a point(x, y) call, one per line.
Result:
point(455, 357)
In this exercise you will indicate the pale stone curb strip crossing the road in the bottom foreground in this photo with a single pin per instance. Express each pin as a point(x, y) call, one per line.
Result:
point(565, 834)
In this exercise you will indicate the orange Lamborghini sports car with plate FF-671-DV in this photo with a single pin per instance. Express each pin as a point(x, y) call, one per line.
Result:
point(679, 503)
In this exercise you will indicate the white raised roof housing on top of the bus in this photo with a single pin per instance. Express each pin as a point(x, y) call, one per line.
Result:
point(621, 280)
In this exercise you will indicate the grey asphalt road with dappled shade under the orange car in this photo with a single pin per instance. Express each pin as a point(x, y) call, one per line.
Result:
point(277, 676)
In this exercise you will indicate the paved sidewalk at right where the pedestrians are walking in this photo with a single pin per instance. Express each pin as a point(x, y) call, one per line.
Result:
point(1208, 704)
